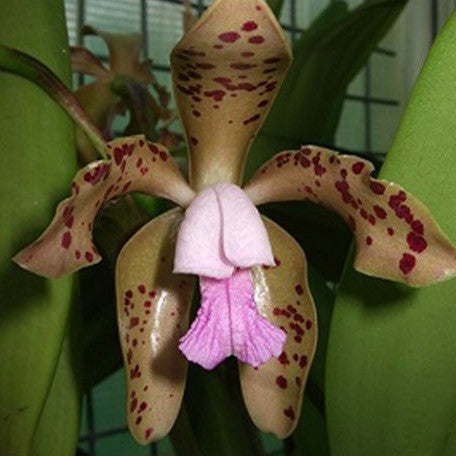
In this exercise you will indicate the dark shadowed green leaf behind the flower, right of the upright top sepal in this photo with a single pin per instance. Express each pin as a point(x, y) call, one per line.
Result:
point(326, 58)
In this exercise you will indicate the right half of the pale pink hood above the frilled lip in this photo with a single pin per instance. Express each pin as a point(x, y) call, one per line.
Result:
point(245, 240)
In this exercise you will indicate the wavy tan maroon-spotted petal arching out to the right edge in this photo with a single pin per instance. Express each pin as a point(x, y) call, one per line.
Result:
point(396, 236)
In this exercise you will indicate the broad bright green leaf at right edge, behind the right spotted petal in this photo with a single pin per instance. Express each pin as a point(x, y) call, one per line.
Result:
point(391, 373)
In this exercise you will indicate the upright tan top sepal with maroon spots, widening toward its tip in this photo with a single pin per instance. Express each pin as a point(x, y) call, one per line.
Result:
point(226, 72)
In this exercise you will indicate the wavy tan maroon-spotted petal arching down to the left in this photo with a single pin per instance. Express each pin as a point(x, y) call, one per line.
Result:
point(135, 165)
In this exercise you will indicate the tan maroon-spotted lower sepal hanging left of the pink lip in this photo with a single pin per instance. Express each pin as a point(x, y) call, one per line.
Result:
point(153, 306)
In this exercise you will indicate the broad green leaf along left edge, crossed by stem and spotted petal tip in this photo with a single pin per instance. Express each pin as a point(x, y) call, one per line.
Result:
point(37, 145)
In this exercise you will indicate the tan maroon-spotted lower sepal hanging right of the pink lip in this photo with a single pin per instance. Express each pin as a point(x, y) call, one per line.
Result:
point(273, 392)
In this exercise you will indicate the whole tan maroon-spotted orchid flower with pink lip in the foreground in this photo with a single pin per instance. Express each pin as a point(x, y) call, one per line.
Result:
point(256, 302)
